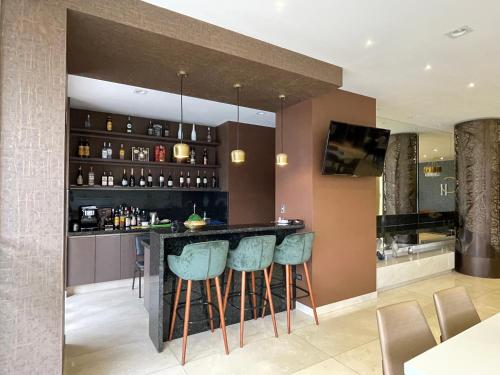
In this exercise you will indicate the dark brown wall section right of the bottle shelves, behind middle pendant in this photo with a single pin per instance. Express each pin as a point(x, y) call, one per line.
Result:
point(251, 186)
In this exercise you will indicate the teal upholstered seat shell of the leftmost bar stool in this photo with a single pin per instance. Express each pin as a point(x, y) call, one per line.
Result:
point(200, 261)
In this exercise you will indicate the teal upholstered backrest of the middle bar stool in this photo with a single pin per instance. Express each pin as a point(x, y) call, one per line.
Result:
point(253, 253)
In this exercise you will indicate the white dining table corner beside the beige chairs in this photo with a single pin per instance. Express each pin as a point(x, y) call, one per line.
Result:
point(476, 351)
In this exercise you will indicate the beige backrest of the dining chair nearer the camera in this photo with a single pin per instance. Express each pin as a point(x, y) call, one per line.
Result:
point(404, 334)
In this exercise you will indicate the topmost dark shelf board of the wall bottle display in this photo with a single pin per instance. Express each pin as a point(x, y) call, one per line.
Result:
point(90, 133)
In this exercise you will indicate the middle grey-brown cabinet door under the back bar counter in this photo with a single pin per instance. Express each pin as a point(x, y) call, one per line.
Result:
point(107, 257)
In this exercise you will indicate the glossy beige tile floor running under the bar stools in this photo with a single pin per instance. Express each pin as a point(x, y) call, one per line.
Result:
point(107, 333)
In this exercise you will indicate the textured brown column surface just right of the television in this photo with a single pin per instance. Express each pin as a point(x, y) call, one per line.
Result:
point(400, 174)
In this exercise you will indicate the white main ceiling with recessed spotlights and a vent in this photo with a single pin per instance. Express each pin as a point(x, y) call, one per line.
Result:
point(406, 35)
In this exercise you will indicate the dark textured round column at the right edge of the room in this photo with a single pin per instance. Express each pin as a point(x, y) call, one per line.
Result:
point(477, 149)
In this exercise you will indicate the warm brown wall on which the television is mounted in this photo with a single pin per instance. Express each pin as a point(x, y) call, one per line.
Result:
point(340, 210)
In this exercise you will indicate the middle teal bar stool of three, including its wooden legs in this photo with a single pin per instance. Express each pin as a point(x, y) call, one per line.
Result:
point(252, 254)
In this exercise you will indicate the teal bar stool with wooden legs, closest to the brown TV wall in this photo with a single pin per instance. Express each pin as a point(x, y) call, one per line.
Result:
point(294, 250)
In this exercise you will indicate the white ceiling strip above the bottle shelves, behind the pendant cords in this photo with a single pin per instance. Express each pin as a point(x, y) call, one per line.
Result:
point(92, 94)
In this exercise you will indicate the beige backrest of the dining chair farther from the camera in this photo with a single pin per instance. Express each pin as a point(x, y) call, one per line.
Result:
point(455, 311)
